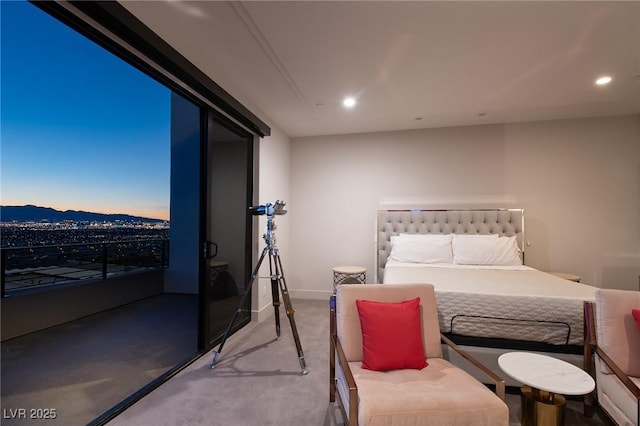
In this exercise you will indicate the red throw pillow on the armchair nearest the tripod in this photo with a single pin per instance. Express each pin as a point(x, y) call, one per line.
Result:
point(391, 335)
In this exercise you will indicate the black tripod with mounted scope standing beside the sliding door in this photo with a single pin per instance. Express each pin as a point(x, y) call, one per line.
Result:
point(278, 283)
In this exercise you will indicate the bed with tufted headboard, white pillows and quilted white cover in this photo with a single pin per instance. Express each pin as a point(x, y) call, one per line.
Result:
point(489, 301)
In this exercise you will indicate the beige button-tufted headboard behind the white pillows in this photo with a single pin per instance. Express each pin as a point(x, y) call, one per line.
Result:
point(504, 222)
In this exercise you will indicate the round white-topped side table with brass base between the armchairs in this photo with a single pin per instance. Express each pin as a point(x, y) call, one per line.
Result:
point(546, 380)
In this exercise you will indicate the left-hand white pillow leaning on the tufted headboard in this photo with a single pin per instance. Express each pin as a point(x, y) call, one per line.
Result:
point(421, 248)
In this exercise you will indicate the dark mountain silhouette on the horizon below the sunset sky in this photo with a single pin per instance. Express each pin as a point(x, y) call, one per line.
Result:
point(31, 213)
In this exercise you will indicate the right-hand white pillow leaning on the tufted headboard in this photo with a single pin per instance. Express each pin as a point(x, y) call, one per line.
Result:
point(485, 250)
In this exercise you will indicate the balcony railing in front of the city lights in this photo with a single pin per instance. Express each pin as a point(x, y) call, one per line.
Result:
point(38, 266)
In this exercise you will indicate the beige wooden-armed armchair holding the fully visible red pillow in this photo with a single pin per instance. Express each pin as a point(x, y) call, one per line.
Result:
point(439, 393)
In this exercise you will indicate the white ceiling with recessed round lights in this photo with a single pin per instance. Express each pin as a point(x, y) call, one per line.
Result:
point(293, 62)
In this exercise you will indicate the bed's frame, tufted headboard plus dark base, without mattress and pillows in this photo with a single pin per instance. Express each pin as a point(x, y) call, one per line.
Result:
point(504, 222)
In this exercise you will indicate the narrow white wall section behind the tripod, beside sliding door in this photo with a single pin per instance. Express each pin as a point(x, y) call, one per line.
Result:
point(274, 182)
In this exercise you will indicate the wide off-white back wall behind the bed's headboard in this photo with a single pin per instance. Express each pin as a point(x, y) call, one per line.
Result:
point(578, 181)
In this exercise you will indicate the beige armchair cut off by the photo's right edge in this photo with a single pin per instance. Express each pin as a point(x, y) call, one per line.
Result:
point(617, 355)
